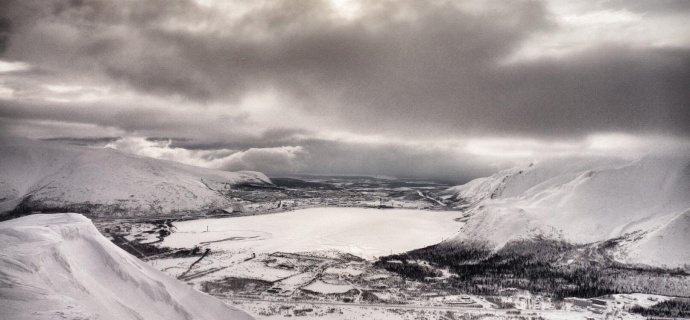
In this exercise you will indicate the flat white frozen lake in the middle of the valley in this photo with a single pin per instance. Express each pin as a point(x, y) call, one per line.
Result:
point(359, 231)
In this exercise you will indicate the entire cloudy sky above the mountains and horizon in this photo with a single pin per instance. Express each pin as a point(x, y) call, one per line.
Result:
point(449, 90)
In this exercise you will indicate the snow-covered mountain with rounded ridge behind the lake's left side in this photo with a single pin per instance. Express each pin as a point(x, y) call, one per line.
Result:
point(52, 177)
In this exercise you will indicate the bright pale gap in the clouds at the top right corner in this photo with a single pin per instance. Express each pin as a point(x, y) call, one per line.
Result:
point(582, 25)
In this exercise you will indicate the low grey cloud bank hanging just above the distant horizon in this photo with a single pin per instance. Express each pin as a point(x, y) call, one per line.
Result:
point(337, 157)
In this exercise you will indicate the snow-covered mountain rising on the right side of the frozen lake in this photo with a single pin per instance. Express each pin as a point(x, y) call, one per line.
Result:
point(646, 201)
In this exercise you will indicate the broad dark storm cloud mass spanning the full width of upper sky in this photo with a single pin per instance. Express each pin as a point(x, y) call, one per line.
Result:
point(438, 69)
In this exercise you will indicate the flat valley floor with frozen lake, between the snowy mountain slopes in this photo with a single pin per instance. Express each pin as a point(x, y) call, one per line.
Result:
point(348, 249)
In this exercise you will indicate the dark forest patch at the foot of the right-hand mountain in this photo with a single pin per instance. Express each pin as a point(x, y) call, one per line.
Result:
point(542, 266)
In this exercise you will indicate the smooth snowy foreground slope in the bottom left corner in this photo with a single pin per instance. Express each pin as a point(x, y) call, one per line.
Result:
point(59, 266)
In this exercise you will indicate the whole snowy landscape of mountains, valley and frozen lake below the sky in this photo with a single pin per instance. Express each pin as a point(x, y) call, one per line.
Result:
point(622, 222)
